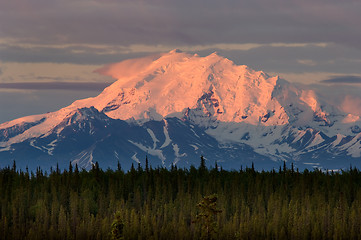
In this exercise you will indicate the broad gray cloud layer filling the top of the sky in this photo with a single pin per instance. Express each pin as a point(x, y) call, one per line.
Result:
point(181, 22)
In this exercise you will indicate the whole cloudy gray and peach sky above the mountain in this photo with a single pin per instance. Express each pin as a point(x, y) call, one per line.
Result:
point(49, 50)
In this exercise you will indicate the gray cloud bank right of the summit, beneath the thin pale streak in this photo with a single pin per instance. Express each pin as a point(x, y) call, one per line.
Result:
point(333, 58)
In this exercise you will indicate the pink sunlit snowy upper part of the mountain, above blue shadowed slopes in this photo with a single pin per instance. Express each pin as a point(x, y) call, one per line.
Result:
point(212, 87)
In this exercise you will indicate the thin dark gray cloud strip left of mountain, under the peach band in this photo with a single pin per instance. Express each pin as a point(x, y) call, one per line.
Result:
point(79, 86)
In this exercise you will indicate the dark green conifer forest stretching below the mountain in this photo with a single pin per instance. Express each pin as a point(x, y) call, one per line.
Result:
point(165, 203)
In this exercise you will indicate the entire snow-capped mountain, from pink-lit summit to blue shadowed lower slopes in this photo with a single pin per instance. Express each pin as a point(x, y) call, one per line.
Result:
point(175, 107)
